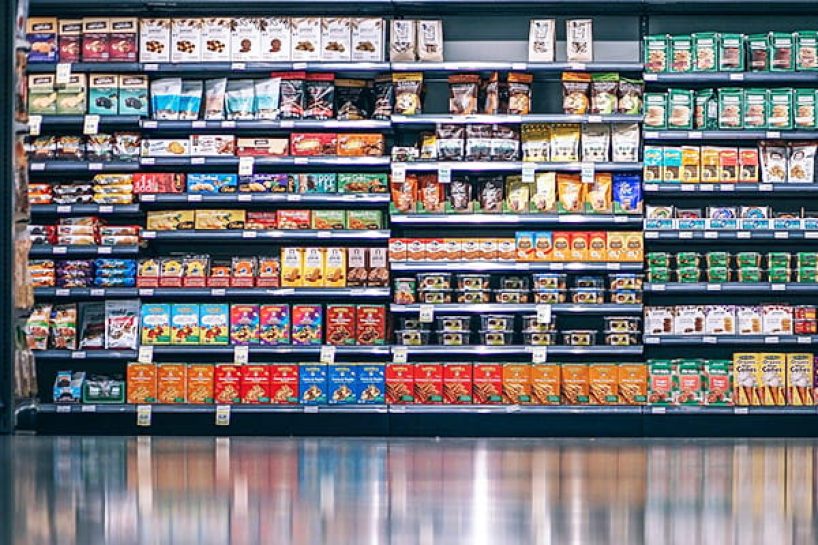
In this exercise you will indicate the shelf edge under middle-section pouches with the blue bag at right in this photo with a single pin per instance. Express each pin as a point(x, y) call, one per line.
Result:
point(516, 219)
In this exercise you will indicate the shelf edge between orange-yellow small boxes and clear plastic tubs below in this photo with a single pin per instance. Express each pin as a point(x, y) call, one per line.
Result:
point(502, 266)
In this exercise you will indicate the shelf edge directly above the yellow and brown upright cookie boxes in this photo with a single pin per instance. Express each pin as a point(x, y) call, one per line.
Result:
point(214, 235)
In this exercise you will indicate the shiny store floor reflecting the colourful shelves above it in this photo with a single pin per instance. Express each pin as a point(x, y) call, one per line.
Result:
point(223, 491)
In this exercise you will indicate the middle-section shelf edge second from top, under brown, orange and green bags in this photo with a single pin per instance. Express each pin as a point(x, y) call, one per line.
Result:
point(434, 119)
